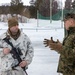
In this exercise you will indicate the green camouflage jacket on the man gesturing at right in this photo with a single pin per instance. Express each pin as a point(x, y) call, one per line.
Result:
point(67, 56)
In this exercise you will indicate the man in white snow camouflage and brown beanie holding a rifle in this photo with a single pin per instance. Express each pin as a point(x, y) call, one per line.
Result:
point(9, 65)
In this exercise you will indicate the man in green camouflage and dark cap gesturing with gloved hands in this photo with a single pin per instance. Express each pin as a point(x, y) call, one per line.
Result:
point(66, 50)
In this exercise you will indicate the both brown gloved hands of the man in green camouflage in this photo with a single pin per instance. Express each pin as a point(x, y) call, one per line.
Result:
point(53, 45)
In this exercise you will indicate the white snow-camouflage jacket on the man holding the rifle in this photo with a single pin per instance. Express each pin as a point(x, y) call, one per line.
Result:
point(25, 45)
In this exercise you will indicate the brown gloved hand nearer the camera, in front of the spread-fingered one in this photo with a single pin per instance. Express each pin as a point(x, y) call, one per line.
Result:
point(57, 46)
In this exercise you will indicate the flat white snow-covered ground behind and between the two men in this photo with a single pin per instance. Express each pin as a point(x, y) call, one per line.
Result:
point(45, 61)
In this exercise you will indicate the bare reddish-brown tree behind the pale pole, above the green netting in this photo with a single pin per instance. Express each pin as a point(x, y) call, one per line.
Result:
point(44, 7)
